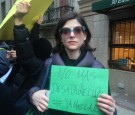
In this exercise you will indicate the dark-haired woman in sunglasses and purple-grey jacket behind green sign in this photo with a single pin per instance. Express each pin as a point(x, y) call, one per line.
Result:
point(72, 49)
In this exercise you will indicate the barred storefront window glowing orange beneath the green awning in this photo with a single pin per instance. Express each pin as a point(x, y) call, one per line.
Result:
point(122, 45)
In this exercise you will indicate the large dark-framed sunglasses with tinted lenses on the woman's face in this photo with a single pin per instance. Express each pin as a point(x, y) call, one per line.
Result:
point(76, 30)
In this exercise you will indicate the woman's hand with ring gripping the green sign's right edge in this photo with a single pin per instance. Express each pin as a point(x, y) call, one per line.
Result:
point(107, 104)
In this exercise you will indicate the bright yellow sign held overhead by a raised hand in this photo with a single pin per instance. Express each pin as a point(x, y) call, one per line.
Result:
point(38, 8)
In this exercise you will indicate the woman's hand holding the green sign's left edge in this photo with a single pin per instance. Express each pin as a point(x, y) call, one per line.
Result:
point(40, 100)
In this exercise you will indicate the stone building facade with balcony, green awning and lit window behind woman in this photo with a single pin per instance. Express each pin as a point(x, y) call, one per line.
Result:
point(112, 25)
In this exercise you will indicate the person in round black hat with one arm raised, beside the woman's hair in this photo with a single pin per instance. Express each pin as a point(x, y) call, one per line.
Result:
point(39, 43)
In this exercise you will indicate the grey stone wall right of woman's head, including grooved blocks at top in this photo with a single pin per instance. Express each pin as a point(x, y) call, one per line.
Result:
point(99, 27)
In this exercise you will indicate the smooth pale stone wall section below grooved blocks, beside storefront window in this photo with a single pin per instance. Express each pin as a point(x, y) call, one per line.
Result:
point(98, 25)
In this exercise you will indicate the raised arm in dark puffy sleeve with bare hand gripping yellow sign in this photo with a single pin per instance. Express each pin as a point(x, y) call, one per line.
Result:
point(24, 51)
